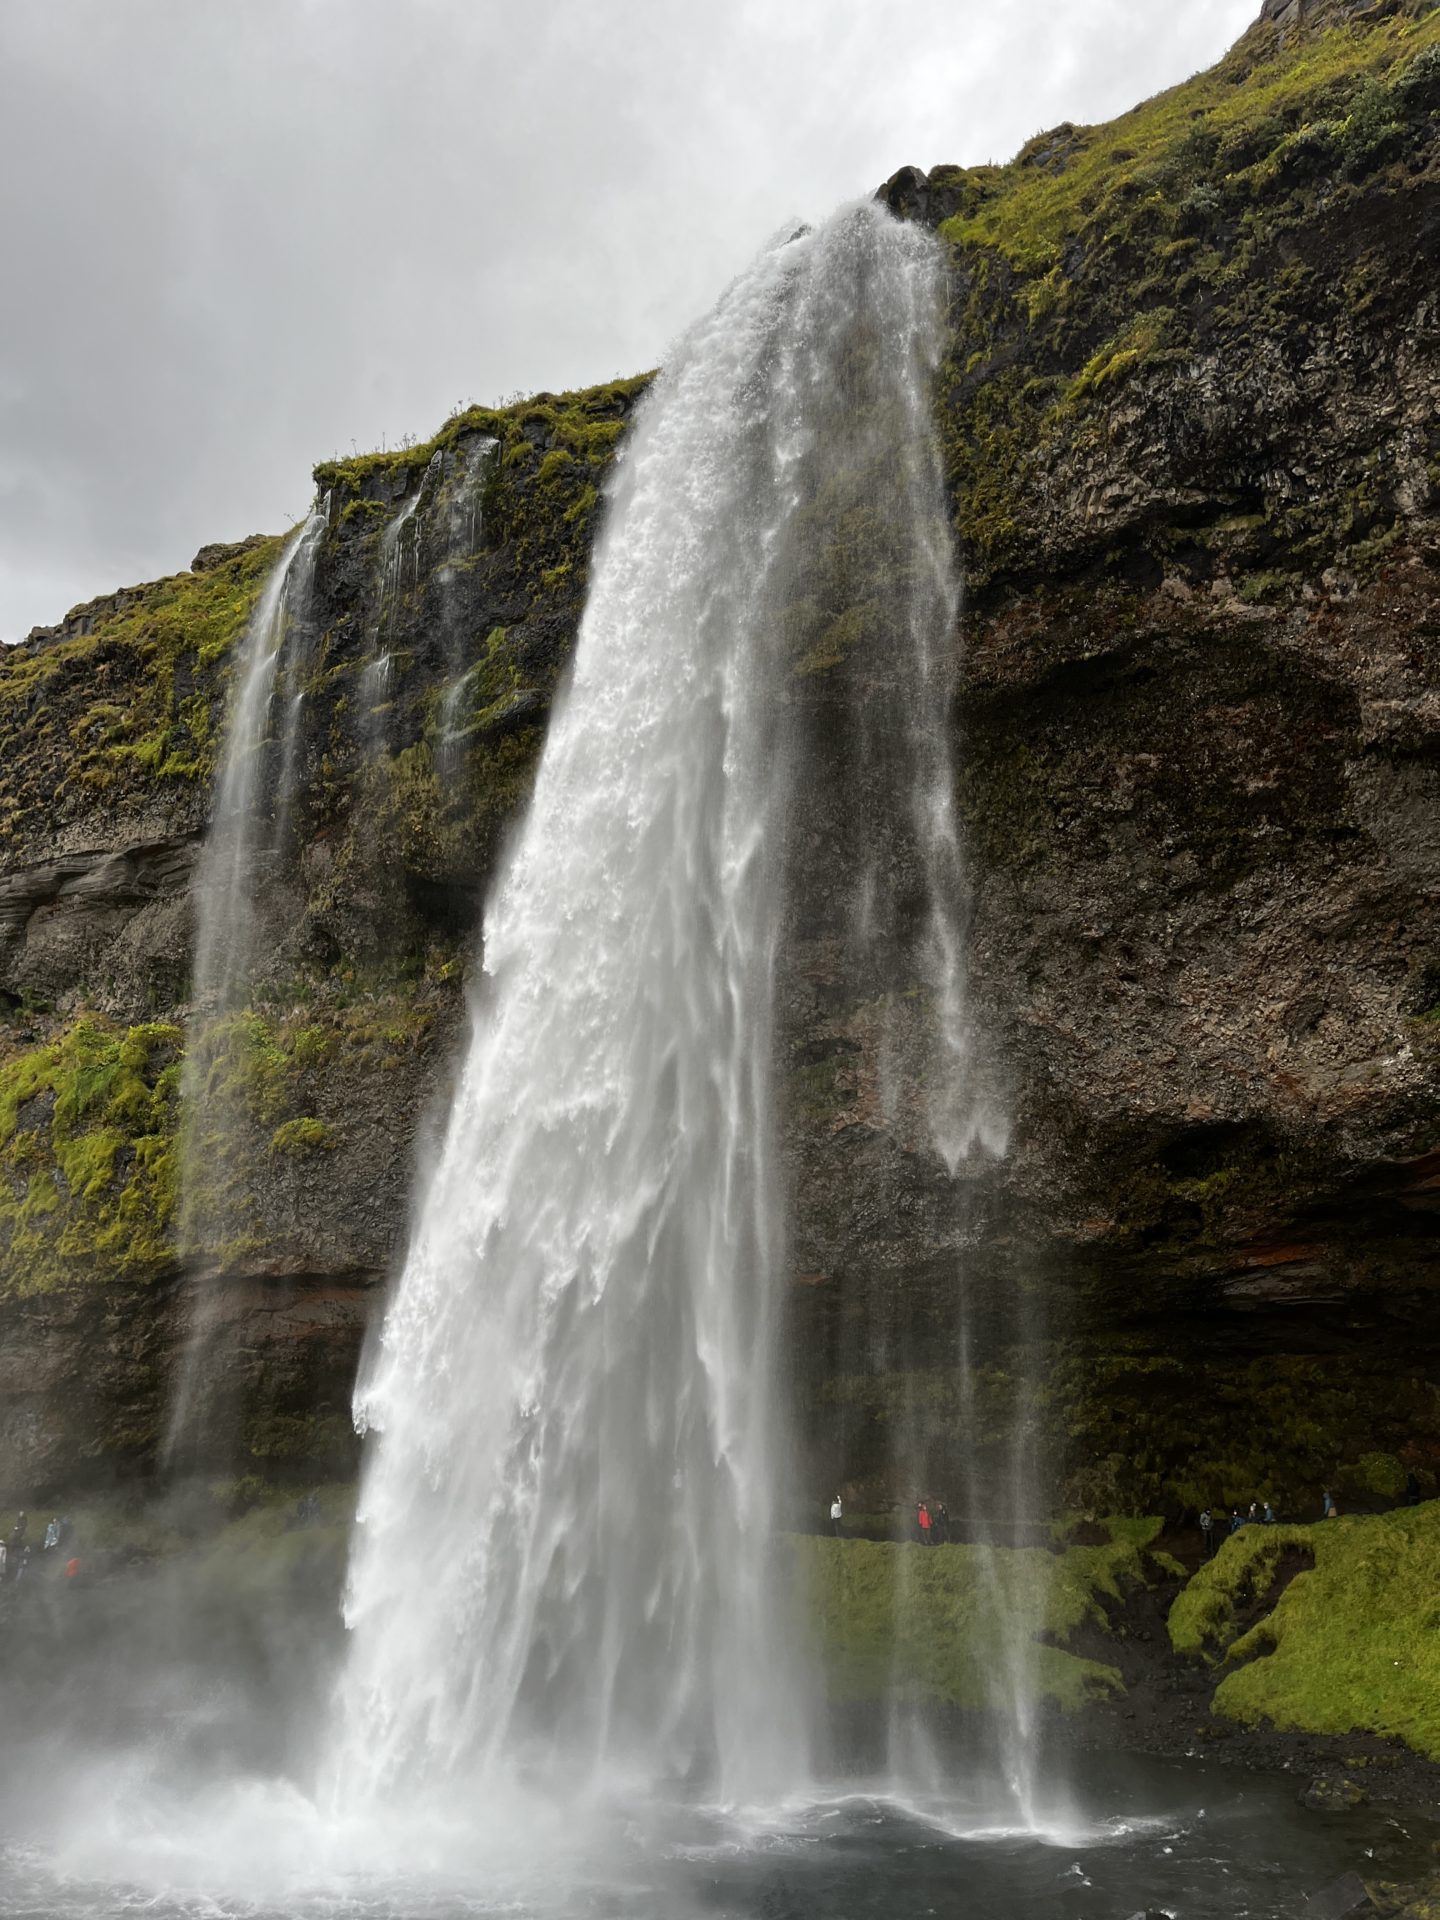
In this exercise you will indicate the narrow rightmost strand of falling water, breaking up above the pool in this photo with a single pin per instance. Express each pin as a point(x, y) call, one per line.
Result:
point(907, 930)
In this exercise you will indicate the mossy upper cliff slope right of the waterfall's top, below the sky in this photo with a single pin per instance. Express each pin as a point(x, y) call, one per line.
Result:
point(1188, 264)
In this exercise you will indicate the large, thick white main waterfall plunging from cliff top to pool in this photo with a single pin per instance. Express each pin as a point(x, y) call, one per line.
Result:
point(565, 1531)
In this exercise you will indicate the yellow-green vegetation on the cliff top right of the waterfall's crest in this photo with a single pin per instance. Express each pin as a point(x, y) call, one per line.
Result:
point(1232, 214)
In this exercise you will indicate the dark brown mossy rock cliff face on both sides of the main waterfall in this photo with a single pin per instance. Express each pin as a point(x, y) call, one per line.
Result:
point(1189, 421)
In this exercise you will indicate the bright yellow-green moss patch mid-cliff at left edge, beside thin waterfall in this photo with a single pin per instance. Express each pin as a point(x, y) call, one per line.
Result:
point(89, 1157)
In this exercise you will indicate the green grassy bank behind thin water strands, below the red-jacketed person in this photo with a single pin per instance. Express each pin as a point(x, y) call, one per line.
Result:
point(936, 1623)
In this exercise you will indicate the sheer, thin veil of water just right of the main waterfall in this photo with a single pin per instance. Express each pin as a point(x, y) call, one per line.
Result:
point(875, 606)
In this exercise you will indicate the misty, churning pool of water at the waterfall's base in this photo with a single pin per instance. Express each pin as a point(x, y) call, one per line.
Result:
point(1141, 1838)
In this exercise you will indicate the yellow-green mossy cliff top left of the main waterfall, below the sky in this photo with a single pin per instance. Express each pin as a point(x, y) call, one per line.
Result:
point(122, 702)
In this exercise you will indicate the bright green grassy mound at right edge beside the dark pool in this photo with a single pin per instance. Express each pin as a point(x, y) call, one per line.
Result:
point(1351, 1646)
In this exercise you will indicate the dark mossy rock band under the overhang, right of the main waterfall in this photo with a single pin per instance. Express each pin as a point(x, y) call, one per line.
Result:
point(1132, 1424)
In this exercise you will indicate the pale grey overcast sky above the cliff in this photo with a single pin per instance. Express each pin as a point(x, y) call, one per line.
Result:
point(243, 235)
